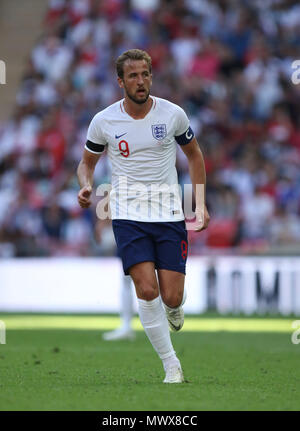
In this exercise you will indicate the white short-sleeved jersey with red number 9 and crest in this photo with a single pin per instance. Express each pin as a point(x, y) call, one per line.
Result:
point(143, 155)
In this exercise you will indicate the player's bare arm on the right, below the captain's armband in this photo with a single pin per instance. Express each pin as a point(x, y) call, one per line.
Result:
point(198, 177)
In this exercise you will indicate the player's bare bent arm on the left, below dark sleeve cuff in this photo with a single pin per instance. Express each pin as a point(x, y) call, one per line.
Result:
point(85, 174)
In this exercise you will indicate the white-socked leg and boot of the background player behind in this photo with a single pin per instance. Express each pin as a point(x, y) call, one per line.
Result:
point(126, 313)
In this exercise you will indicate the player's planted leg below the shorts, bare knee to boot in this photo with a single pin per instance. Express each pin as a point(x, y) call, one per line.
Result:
point(153, 318)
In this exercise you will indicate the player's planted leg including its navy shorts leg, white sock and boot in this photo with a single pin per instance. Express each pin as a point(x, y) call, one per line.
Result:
point(137, 251)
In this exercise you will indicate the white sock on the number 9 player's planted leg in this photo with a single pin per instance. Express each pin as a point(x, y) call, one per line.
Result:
point(154, 321)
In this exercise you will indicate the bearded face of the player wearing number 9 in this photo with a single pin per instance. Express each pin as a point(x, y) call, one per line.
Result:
point(137, 80)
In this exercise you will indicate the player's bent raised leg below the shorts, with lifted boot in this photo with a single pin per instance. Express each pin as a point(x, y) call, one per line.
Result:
point(173, 294)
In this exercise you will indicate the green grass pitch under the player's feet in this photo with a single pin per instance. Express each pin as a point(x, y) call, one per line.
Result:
point(60, 362)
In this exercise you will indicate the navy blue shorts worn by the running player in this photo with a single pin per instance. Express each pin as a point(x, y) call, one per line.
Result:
point(164, 243)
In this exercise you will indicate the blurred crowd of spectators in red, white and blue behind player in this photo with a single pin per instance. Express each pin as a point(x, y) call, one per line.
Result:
point(228, 63)
